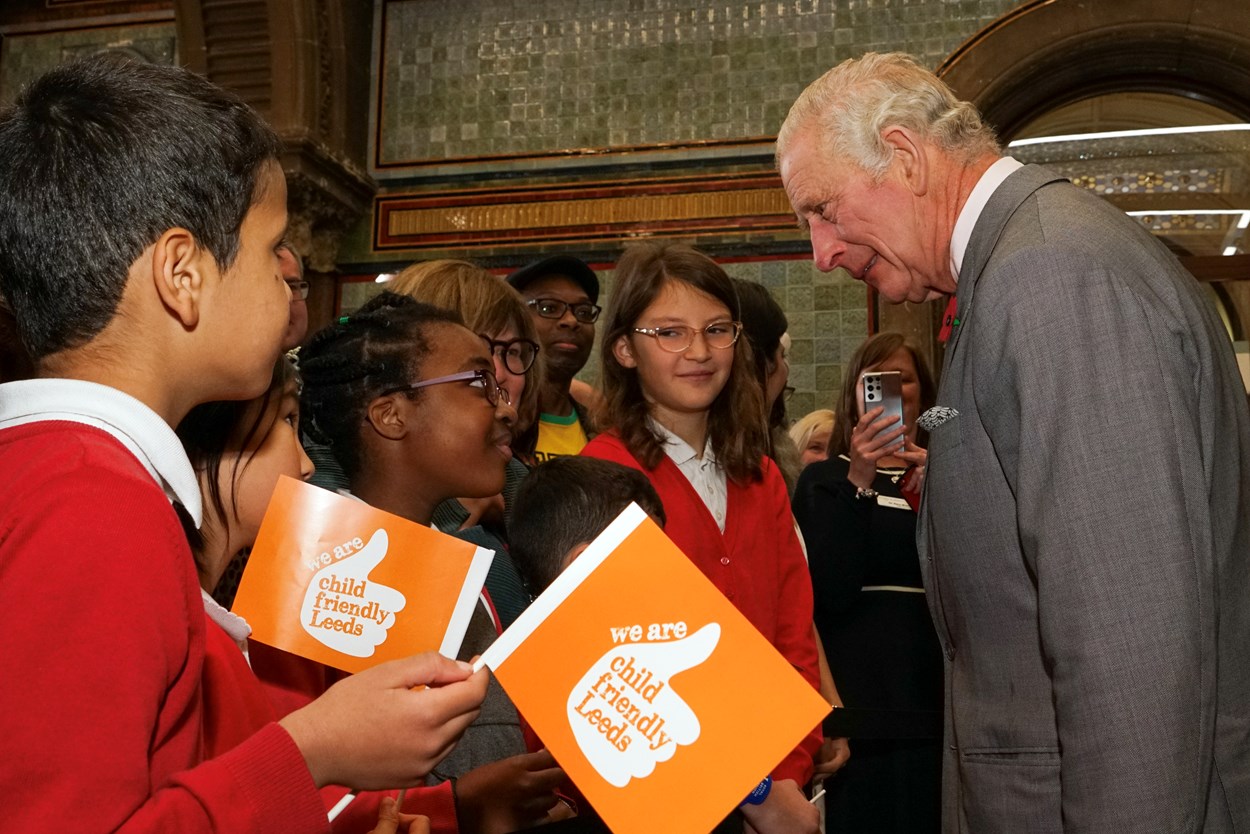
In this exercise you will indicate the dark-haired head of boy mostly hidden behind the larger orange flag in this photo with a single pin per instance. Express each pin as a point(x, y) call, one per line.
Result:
point(563, 505)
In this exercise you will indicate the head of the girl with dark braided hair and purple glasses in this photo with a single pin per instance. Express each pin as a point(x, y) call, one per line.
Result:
point(359, 399)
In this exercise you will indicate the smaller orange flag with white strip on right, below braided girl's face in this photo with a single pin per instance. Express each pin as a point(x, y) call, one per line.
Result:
point(349, 586)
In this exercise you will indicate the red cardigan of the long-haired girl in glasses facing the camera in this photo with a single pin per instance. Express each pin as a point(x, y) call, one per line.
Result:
point(757, 563)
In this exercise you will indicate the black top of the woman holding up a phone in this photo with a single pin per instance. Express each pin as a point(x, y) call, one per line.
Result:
point(881, 643)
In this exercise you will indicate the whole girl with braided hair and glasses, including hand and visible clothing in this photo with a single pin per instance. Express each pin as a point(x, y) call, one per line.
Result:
point(407, 399)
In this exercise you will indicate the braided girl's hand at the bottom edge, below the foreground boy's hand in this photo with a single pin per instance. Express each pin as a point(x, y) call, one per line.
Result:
point(509, 795)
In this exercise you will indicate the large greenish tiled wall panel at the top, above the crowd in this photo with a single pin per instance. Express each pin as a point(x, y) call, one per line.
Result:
point(474, 79)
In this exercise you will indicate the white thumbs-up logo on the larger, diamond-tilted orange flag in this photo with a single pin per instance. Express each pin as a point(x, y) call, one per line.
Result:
point(624, 712)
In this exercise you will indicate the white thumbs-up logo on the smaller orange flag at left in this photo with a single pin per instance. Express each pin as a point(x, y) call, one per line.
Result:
point(347, 612)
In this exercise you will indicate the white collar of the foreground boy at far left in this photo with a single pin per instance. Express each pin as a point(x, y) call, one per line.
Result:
point(136, 427)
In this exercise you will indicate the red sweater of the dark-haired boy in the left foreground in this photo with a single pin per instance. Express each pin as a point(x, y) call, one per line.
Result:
point(104, 640)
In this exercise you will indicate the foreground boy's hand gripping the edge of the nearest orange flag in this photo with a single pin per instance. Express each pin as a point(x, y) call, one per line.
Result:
point(373, 731)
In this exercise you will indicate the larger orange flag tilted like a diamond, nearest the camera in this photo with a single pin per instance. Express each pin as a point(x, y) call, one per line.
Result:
point(659, 700)
